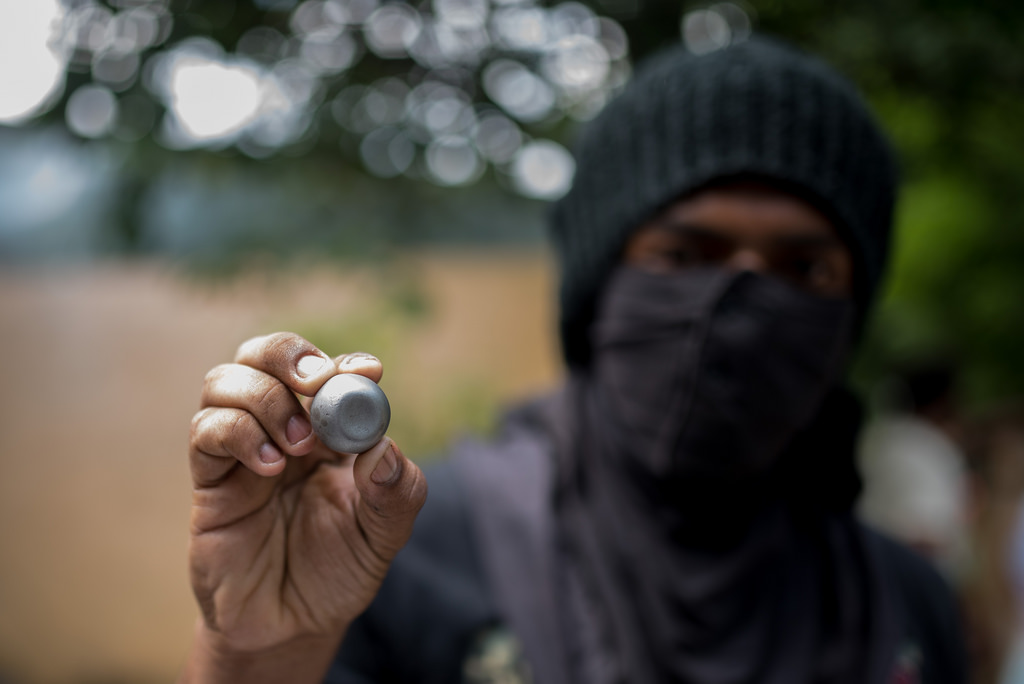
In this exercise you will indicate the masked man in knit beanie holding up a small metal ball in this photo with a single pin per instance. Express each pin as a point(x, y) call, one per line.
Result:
point(680, 511)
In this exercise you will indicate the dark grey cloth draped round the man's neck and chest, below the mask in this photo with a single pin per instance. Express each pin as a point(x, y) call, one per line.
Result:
point(608, 582)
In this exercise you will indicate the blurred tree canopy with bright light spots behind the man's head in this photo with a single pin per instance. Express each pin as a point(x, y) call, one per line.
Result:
point(355, 125)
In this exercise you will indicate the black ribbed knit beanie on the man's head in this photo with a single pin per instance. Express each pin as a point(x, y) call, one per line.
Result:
point(755, 110)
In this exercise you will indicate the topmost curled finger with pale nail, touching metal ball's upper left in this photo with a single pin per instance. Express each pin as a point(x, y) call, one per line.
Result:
point(289, 358)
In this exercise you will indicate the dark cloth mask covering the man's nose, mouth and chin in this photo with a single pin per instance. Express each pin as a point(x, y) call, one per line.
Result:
point(712, 372)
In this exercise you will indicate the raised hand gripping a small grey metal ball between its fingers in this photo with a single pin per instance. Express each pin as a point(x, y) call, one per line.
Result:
point(290, 541)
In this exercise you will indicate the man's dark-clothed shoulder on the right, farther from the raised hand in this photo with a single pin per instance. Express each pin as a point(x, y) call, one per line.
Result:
point(933, 635)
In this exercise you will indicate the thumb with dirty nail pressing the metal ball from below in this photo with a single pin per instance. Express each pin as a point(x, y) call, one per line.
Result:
point(393, 490)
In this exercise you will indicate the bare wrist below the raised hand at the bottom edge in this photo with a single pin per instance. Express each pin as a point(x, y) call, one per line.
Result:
point(214, 660)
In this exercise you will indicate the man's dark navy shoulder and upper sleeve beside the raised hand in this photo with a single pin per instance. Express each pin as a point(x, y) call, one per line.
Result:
point(434, 604)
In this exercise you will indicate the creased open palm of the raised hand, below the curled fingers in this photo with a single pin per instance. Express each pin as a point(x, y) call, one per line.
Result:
point(284, 558)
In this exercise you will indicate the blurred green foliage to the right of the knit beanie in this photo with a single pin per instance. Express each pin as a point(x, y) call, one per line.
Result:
point(946, 79)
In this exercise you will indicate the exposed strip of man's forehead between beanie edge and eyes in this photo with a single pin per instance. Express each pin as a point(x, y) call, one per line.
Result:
point(750, 211)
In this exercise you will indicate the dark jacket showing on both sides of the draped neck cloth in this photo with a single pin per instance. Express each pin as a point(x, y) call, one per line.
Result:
point(437, 619)
